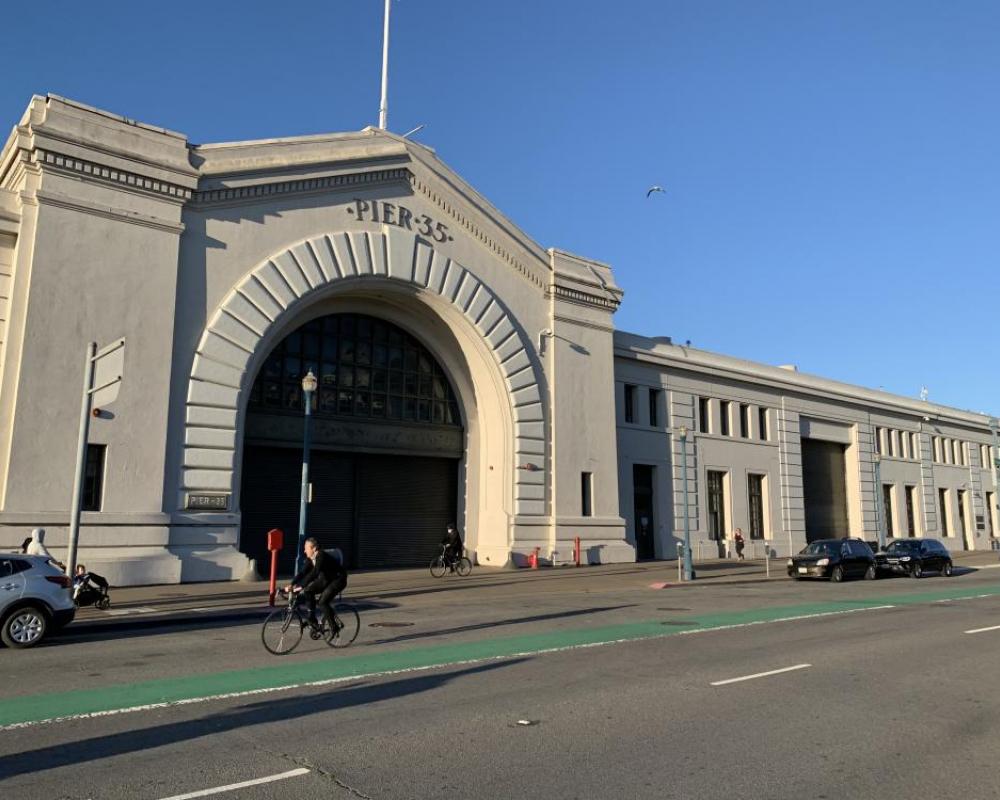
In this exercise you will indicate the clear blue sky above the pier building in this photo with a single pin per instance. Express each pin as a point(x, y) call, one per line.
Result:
point(832, 168)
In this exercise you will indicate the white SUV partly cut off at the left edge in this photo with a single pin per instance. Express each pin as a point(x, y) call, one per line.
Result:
point(35, 599)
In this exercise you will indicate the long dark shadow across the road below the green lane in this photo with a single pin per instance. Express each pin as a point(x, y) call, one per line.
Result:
point(260, 713)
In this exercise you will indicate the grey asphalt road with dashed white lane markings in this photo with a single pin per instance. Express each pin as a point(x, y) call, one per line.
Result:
point(891, 698)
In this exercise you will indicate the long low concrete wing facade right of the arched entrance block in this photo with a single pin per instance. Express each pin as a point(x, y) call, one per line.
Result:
point(942, 454)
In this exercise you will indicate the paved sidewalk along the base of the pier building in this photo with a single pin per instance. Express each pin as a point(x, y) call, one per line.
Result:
point(186, 603)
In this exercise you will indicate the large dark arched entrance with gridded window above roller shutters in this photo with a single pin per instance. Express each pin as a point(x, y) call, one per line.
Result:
point(387, 440)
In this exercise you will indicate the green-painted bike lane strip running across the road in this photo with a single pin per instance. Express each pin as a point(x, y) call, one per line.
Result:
point(35, 709)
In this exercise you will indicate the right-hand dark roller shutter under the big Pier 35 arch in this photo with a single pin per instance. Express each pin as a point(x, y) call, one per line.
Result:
point(404, 505)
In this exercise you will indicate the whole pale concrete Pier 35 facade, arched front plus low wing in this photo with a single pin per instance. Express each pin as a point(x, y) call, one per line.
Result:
point(203, 258)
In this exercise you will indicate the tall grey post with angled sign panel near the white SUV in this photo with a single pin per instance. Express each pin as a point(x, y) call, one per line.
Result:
point(102, 375)
